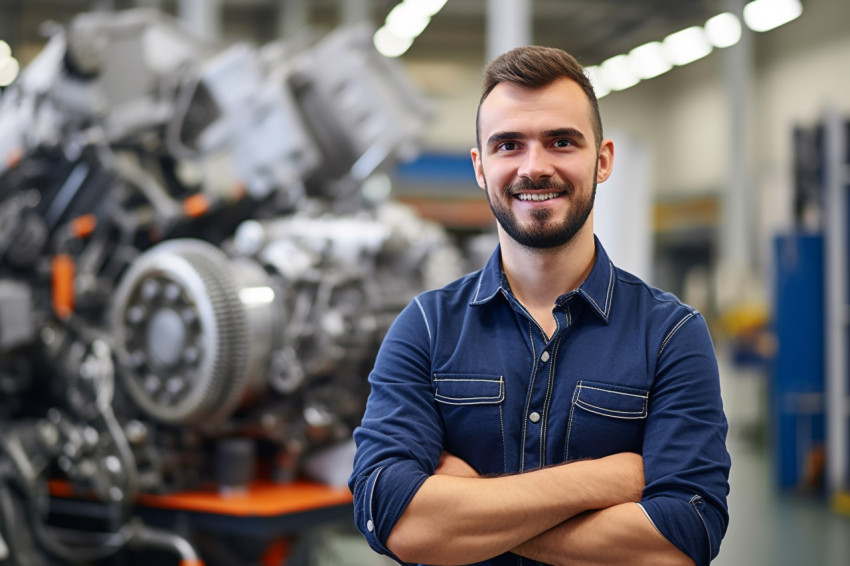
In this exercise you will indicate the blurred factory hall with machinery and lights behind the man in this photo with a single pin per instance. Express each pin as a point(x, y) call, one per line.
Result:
point(225, 124)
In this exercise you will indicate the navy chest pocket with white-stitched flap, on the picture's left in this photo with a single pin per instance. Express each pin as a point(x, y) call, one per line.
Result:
point(471, 406)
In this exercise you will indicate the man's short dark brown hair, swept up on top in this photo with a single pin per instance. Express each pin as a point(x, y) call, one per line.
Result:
point(533, 67)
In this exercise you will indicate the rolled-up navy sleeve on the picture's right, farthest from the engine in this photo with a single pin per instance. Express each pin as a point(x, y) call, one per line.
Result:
point(685, 458)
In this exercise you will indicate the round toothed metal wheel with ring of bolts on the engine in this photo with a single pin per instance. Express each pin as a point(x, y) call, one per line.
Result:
point(182, 333)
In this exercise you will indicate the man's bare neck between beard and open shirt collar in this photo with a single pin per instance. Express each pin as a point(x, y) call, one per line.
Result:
point(539, 276)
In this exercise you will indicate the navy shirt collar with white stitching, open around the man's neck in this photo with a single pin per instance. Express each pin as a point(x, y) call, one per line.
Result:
point(597, 290)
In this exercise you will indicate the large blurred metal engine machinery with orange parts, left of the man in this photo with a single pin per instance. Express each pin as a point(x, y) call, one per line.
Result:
point(198, 261)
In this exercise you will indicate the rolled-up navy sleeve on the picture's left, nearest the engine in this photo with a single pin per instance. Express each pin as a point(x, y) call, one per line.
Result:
point(400, 437)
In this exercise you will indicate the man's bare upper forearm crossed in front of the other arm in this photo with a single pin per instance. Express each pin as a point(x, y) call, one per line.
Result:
point(459, 520)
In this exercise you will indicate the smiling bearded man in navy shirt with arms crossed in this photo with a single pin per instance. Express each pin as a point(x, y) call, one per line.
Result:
point(549, 408)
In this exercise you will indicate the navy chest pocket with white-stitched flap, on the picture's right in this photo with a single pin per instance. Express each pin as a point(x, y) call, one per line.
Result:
point(605, 419)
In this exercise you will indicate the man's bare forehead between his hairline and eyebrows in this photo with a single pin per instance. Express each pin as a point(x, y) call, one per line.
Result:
point(511, 107)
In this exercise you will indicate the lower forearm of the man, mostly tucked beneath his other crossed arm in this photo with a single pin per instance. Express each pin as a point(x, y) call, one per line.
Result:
point(618, 535)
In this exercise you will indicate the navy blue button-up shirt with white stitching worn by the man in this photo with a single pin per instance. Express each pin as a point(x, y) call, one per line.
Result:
point(629, 368)
